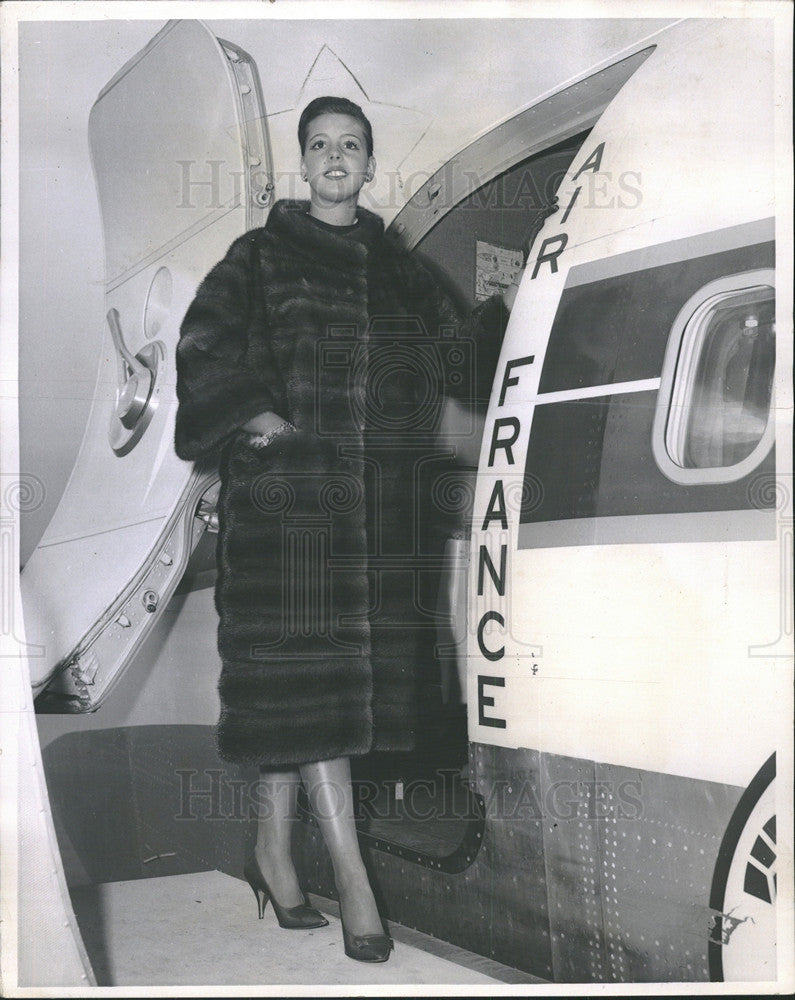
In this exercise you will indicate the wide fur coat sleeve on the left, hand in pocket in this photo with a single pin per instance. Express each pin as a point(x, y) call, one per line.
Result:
point(218, 387)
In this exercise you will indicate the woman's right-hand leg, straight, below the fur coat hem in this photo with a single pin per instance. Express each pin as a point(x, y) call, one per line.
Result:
point(328, 785)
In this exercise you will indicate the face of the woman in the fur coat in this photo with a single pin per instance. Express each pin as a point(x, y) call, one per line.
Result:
point(335, 160)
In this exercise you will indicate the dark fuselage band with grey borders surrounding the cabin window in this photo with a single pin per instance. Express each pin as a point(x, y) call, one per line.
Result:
point(590, 472)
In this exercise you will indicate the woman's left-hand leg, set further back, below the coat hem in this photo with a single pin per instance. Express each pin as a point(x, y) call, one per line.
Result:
point(277, 792)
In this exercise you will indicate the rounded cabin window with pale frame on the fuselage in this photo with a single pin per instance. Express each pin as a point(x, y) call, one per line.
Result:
point(714, 410)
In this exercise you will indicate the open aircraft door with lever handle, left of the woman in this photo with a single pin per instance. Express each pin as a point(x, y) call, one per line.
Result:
point(185, 116)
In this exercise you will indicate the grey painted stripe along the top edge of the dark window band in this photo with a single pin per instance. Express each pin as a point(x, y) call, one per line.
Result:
point(733, 238)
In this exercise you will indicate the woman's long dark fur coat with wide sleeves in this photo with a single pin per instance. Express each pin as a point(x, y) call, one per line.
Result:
point(330, 538)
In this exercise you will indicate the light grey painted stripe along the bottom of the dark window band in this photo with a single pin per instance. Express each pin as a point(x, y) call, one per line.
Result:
point(697, 526)
